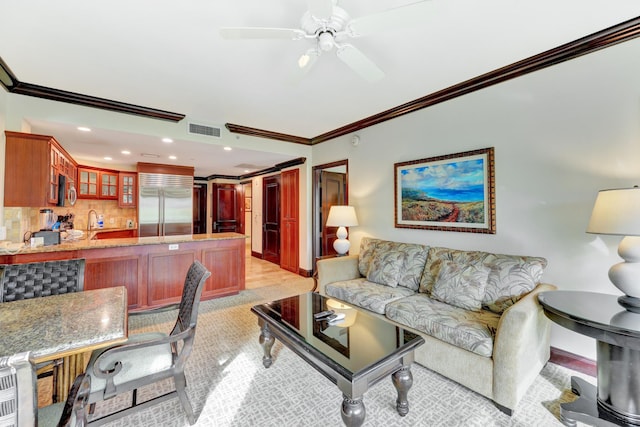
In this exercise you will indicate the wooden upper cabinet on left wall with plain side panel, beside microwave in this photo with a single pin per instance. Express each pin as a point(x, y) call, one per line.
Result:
point(33, 164)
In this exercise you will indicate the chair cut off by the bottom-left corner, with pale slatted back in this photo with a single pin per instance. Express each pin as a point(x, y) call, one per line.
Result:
point(19, 397)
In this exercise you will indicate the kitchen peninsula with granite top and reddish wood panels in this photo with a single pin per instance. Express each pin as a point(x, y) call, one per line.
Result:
point(153, 269)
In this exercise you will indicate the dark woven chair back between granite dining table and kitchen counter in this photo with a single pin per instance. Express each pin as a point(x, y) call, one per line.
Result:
point(41, 279)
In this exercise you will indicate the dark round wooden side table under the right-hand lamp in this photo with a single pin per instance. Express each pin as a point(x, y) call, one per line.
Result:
point(616, 398)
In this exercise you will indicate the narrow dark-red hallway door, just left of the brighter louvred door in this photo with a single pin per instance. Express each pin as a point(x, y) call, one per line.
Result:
point(271, 219)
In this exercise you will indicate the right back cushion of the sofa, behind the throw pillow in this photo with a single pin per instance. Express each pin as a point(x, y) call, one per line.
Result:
point(511, 276)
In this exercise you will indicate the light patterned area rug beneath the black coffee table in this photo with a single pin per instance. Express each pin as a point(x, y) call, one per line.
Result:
point(228, 386)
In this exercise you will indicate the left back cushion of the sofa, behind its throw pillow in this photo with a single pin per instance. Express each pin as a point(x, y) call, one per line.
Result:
point(415, 257)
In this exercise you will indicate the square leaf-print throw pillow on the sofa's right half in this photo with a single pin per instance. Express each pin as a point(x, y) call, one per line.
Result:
point(461, 285)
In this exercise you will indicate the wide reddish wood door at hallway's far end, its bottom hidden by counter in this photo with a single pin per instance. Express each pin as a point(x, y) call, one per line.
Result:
point(226, 208)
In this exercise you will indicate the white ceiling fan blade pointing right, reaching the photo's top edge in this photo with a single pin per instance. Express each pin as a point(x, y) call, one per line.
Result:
point(399, 17)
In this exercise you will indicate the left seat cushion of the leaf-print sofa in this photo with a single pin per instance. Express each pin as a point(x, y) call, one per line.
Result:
point(365, 294)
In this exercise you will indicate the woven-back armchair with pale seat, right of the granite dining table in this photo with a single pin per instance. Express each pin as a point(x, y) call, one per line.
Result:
point(150, 357)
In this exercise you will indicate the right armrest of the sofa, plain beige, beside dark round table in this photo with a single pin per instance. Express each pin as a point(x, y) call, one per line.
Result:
point(521, 347)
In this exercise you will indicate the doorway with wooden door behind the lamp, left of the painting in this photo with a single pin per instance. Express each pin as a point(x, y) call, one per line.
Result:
point(330, 187)
